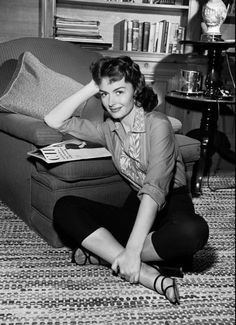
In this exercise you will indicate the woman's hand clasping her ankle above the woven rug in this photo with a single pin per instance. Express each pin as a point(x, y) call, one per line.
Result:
point(127, 264)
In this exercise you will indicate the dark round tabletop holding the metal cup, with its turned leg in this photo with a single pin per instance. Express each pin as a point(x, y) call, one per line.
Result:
point(210, 109)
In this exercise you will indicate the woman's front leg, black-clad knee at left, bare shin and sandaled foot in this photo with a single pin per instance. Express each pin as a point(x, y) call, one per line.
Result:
point(73, 221)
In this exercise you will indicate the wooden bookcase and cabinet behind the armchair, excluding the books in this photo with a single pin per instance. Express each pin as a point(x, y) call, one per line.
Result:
point(158, 68)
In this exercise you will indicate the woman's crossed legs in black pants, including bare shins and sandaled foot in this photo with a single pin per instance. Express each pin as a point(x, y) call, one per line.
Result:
point(104, 230)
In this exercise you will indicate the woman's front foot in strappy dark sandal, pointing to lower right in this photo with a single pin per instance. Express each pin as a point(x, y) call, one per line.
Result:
point(167, 286)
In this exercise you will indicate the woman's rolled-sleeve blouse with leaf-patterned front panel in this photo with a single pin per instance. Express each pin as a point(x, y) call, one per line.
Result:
point(147, 156)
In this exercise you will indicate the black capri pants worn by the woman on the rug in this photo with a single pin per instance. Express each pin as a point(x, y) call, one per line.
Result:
point(178, 232)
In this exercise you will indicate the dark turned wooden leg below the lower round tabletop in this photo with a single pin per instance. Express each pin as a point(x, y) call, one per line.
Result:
point(208, 128)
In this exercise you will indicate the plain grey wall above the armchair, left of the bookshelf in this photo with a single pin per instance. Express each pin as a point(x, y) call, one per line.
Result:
point(19, 18)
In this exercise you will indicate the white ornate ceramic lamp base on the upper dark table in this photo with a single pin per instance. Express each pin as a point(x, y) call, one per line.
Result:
point(214, 13)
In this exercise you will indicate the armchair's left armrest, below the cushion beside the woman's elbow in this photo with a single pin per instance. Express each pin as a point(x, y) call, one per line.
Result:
point(29, 129)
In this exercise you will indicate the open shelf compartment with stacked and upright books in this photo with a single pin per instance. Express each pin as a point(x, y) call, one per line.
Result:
point(146, 26)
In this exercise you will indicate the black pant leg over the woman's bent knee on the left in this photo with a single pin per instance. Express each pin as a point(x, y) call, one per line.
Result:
point(75, 218)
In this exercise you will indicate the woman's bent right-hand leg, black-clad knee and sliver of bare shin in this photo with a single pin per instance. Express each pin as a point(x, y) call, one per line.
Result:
point(178, 232)
